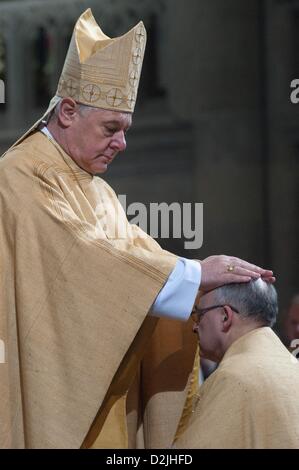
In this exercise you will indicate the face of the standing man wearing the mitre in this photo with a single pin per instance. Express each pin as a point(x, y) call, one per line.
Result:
point(96, 137)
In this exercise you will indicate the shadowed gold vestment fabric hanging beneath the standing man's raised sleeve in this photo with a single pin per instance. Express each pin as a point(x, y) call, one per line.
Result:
point(145, 414)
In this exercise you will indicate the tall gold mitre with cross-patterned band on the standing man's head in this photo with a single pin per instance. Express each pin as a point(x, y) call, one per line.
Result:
point(100, 71)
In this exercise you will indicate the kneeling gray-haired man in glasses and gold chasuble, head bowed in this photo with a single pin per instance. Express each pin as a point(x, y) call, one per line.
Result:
point(252, 399)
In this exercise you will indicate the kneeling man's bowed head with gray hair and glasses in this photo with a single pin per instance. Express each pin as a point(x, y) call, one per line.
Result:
point(230, 311)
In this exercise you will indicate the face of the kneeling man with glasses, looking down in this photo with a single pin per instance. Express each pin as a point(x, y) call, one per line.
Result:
point(209, 328)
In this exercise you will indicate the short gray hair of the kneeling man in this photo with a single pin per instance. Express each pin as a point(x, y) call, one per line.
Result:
point(256, 299)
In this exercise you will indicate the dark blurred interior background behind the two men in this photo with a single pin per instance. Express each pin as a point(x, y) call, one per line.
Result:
point(213, 123)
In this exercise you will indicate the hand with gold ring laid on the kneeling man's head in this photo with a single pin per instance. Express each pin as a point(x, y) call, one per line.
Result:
point(221, 269)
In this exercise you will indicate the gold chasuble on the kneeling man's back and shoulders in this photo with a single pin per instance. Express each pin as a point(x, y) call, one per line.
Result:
point(251, 401)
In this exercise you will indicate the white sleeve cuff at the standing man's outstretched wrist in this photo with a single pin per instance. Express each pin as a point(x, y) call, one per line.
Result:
point(176, 298)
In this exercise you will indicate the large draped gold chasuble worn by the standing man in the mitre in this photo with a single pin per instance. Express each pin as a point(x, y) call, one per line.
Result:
point(77, 282)
